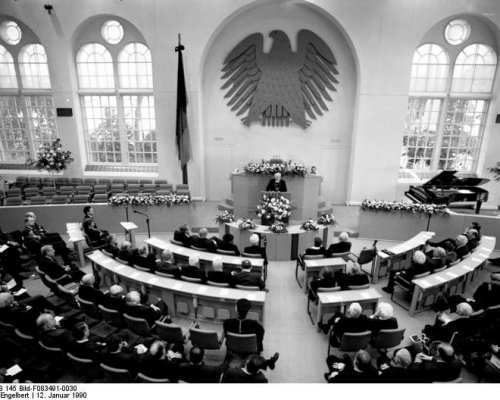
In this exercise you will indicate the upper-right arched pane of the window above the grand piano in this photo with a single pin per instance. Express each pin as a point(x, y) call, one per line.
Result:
point(474, 70)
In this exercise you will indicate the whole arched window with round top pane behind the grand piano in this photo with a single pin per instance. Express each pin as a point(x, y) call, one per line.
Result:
point(447, 106)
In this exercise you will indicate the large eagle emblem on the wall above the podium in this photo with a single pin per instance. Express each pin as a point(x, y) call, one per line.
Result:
point(281, 86)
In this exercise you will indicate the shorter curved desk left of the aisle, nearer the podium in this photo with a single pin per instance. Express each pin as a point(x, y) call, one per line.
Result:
point(182, 254)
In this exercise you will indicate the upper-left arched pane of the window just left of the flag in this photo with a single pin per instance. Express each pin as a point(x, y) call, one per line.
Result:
point(95, 67)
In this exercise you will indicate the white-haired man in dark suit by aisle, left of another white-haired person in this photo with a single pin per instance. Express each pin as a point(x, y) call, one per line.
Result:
point(352, 321)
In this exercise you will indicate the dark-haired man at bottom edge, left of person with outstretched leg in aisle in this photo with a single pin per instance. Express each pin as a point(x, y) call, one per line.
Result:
point(195, 371)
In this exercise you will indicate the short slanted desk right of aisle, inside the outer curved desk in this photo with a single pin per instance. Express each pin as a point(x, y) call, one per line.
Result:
point(401, 259)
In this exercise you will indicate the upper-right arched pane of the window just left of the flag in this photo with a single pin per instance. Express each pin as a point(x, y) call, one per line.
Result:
point(134, 67)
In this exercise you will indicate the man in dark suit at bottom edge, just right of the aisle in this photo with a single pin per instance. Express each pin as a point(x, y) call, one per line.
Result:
point(344, 370)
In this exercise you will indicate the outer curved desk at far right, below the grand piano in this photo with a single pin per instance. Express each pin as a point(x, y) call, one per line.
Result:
point(454, 279)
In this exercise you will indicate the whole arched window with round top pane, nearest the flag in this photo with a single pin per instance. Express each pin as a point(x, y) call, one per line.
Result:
point(116, 81)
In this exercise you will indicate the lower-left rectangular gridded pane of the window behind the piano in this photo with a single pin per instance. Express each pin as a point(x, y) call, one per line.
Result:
point(419, 138)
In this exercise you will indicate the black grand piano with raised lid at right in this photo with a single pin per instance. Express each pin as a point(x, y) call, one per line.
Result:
point(446, 188)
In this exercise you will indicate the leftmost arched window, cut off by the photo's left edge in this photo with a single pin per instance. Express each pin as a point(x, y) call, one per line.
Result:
point(27, 113)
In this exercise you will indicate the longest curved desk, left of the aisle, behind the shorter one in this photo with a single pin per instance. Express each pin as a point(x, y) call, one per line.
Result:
point(184, 299)
